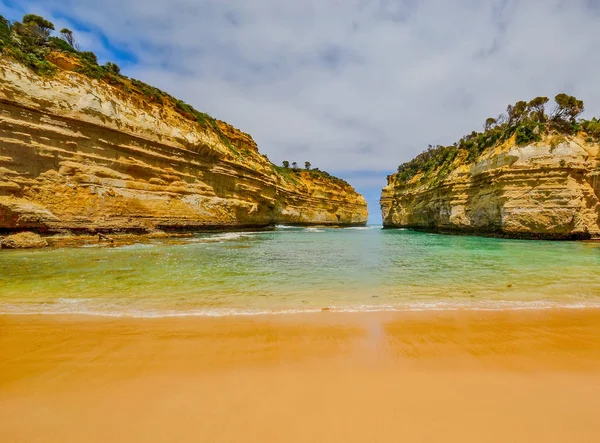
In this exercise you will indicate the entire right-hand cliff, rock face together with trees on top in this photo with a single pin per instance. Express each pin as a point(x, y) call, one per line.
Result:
point(528, 175)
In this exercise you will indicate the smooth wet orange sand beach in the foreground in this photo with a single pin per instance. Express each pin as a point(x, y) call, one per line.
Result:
point(521, 376)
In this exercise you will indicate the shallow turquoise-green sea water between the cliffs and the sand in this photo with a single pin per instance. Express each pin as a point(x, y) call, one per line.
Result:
point(301, 270)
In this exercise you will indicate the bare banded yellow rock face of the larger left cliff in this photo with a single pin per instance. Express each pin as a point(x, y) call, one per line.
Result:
point(81, 155)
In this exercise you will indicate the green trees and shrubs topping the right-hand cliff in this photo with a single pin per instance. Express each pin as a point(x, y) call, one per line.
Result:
point(527, 122)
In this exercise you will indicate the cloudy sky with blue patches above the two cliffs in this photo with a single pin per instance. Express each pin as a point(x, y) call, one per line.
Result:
point(356, 87)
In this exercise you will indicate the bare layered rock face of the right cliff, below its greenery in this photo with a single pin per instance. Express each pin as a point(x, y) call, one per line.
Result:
point(549, 189)
